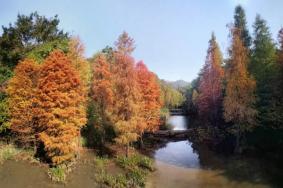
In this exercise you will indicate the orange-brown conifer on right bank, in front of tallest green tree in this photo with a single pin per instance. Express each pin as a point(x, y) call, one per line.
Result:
point(239, 98)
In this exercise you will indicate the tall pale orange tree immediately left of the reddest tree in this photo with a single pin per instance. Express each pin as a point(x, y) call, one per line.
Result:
point(126, 102)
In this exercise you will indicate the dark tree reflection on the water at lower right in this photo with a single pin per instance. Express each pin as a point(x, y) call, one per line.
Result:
point(240, 168)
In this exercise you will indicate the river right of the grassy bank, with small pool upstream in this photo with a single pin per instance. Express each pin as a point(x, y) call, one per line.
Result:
point(180, 165)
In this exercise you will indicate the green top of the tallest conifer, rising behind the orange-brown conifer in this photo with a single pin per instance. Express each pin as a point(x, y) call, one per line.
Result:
point(241, 23)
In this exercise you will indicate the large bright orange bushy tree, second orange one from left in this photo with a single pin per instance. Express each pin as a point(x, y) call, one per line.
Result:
point(60, 107)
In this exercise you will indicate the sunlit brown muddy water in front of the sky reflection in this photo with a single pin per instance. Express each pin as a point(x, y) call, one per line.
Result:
point(168, 176)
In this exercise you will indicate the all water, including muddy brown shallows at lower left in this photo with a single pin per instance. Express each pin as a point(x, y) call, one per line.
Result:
point(178, 165)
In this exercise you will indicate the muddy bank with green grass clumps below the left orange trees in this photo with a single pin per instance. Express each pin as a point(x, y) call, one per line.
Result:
point(90, 170)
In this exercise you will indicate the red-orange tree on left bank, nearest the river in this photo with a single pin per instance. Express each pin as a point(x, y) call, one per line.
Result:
point(150, 99)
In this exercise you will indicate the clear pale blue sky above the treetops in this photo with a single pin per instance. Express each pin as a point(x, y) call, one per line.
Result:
point(171, 36)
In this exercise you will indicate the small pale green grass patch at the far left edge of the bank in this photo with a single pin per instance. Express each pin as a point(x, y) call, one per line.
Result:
point(8, 152)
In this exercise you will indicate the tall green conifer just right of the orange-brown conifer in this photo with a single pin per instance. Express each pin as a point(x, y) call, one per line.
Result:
point(264, 69)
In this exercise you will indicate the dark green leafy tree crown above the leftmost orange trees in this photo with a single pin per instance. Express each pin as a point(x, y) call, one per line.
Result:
point(28, 33)
